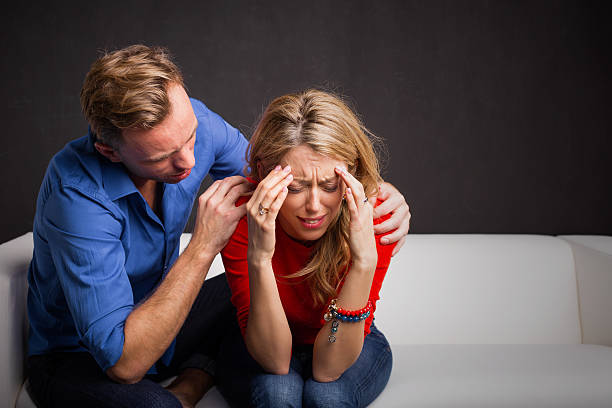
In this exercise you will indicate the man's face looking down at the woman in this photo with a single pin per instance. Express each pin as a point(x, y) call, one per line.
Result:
point(164, 153)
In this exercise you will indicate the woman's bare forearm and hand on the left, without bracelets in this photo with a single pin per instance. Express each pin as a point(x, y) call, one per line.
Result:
point(268, 336)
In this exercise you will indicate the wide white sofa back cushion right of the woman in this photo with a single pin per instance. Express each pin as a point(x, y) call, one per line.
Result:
point(480, 289)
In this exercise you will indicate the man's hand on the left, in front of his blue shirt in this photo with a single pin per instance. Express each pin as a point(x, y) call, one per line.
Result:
point(218, 215)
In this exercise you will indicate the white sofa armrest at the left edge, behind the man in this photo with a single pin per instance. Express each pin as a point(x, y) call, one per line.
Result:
point(15, 256)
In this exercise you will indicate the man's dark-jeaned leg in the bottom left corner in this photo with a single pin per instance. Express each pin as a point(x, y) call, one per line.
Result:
point(76, 380)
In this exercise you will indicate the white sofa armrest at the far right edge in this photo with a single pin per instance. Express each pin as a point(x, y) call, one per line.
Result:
point(593, 259)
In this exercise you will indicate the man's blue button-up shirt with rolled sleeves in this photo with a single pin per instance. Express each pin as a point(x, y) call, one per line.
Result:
point(99, 249)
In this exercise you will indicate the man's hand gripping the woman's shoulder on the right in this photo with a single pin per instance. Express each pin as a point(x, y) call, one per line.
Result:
point(394, 204)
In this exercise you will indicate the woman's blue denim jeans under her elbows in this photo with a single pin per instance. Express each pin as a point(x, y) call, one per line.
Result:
point(244, 383)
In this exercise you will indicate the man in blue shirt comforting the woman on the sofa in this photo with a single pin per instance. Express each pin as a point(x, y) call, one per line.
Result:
point(113, 308)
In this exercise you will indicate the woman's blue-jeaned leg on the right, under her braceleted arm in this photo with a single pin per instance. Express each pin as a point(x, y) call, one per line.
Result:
point(361, 383)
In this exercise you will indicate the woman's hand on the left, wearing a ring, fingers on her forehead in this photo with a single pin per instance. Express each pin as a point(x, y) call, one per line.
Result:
point(262, 210)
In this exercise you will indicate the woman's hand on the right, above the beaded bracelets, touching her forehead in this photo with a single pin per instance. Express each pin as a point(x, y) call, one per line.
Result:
point(361, 230)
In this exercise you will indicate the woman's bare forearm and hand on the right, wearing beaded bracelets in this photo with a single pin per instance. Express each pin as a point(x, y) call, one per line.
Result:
point(330, 360)
